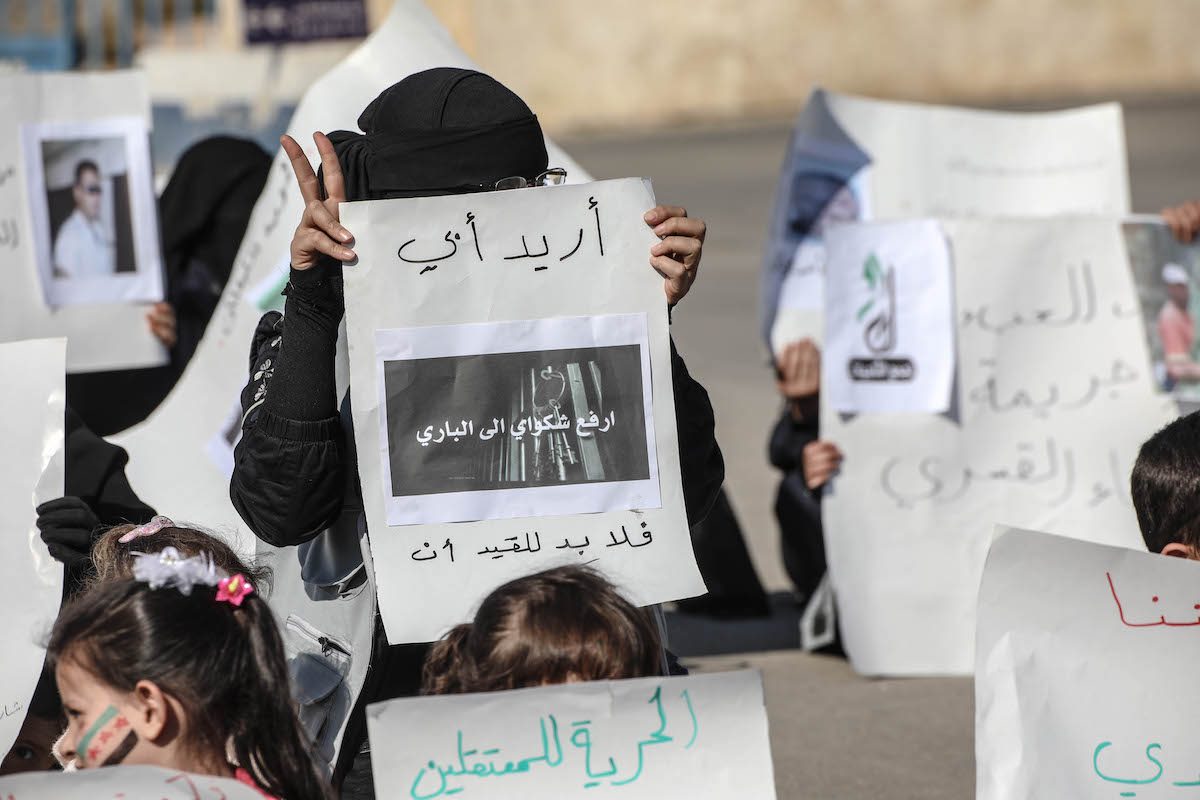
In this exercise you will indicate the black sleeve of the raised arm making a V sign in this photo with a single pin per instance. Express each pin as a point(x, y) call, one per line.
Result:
point(290, 468)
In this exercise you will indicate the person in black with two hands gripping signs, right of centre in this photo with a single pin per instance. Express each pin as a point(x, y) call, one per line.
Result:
point(807, 461)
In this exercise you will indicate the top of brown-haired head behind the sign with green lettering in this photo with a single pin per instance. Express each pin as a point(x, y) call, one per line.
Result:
point(550, 628)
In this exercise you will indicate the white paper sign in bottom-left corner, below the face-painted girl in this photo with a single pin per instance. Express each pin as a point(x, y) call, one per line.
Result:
point(124, 783)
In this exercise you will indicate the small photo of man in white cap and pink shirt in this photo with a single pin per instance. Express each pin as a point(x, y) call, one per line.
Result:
point(1167, 275)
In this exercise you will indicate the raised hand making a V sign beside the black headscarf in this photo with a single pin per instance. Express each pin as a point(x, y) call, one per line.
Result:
point(320, 231)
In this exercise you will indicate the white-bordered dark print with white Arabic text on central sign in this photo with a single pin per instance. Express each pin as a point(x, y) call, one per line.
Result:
point(571, 426)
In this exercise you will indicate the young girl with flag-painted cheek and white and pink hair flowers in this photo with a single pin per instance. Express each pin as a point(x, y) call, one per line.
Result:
point(182, 667)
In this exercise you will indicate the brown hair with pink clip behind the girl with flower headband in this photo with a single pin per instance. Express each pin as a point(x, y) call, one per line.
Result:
point(115, 551)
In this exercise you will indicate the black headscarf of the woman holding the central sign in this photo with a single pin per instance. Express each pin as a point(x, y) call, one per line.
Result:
point(441, 131)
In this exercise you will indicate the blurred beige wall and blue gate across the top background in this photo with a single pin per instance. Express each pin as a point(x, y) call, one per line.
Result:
point(640, 64)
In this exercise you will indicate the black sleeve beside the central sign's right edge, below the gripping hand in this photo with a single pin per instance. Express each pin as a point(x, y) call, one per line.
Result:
point(701, 465)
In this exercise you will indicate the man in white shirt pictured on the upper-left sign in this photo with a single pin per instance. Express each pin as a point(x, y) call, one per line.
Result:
point(85, 246)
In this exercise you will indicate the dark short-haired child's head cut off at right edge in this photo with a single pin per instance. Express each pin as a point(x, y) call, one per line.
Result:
point(1166, 489)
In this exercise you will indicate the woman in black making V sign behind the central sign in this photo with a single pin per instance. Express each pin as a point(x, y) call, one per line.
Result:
point(437, 133)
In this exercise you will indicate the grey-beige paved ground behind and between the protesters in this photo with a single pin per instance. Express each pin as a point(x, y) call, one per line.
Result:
point(833, 733)
